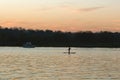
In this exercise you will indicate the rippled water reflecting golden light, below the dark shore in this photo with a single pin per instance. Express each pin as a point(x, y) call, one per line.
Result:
point(53, 64)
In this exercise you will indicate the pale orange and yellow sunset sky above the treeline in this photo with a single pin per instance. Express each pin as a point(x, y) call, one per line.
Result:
point(65, 15)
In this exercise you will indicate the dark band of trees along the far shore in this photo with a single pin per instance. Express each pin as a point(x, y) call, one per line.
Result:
point(48, 38)
